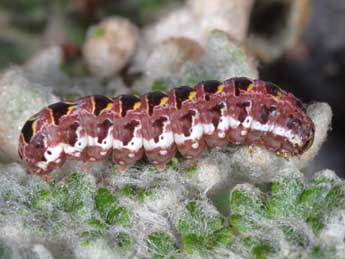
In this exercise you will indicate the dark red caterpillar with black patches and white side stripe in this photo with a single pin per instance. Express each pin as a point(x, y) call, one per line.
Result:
point(157, 124)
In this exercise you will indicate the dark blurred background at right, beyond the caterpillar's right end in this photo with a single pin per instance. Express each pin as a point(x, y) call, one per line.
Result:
point(314, 71)
